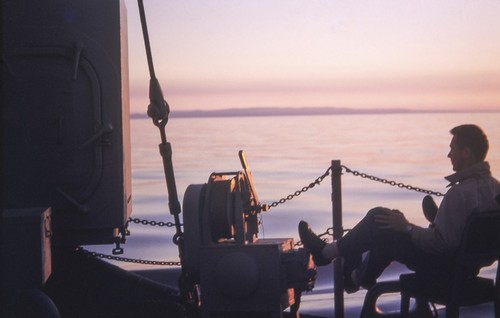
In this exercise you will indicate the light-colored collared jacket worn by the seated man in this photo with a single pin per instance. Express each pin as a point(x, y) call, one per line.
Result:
point(472, 189)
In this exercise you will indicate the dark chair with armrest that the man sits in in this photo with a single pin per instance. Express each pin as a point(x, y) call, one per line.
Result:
point(480, 246)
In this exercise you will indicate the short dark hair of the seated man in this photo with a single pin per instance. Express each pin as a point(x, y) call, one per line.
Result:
point(474, 138)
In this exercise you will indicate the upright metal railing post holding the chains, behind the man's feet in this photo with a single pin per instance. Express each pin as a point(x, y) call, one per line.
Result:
point(338, 232)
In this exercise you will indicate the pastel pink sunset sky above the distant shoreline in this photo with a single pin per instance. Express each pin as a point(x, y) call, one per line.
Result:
point(417, 54)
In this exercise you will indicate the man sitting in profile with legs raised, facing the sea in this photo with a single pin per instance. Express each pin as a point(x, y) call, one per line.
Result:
point(388, 236)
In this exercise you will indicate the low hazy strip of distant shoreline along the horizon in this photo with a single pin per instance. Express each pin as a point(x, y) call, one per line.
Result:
point(298, 111)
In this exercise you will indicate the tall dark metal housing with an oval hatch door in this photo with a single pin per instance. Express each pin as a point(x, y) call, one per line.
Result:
point(64, 115)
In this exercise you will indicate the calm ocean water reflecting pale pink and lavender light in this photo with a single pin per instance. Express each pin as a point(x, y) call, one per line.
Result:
point(287, 153)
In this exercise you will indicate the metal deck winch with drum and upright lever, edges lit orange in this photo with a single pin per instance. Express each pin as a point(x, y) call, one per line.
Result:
point(236, 273)
